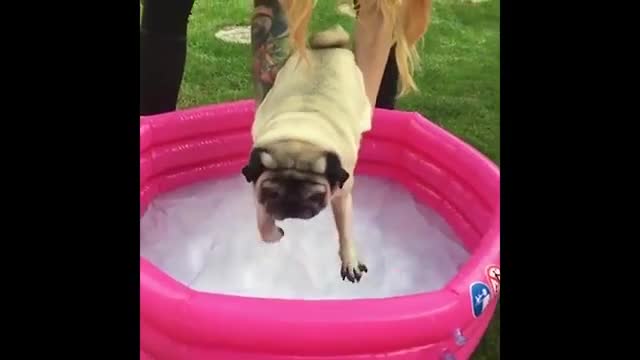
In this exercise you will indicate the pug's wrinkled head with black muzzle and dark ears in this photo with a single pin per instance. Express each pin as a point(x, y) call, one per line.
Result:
point(293, 180)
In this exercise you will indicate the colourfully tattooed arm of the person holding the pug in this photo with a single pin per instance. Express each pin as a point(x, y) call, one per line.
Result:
point(269, 44)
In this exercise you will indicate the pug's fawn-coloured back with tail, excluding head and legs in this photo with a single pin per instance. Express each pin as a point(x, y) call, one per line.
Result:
point(320, 100)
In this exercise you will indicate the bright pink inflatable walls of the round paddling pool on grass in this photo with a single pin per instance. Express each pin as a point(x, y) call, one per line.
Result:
point(177, 323)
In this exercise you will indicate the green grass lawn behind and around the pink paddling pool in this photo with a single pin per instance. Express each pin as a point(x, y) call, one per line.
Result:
point(459, 80)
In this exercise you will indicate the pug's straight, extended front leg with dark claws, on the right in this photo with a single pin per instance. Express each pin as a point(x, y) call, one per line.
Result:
point(352, 269)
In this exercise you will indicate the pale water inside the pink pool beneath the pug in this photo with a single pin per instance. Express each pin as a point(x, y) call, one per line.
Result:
point(205, 236)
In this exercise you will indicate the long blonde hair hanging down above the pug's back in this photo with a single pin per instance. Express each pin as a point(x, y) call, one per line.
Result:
point(409, 20)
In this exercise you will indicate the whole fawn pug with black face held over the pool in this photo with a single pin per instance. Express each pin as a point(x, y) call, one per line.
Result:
point(306, 137)
